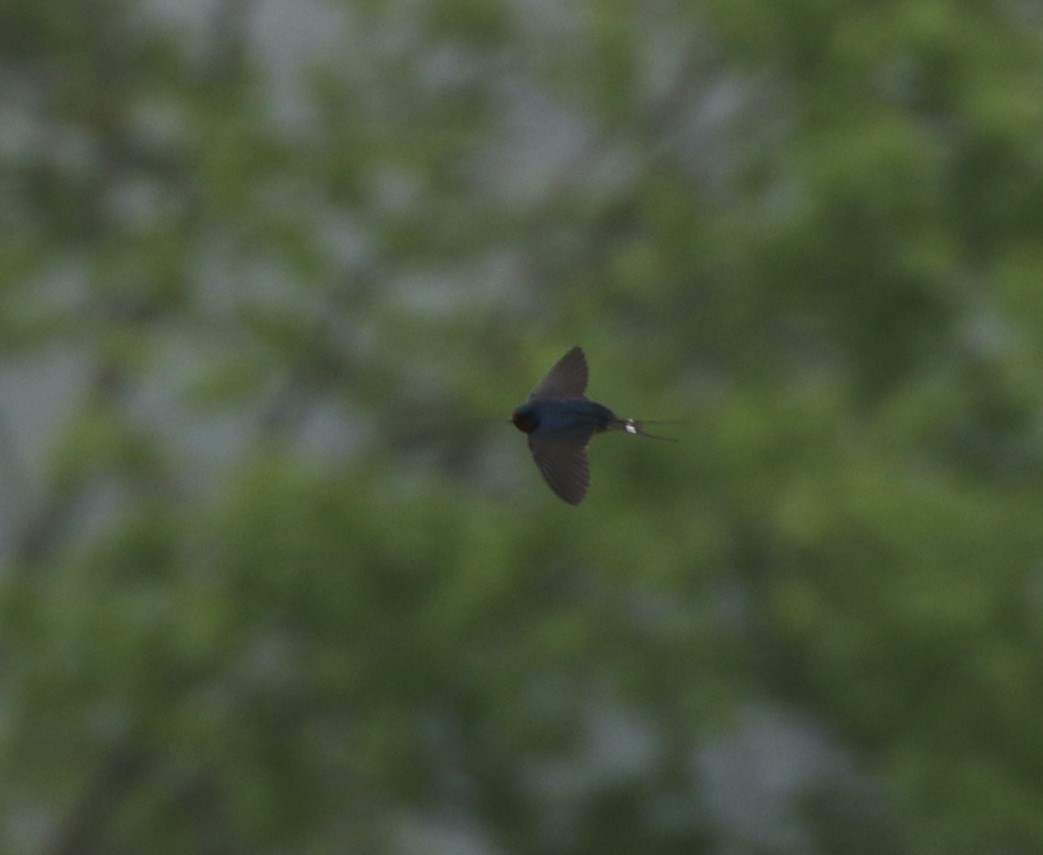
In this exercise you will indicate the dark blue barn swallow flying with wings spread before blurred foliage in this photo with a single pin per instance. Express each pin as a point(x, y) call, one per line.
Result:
point(561, 422)
